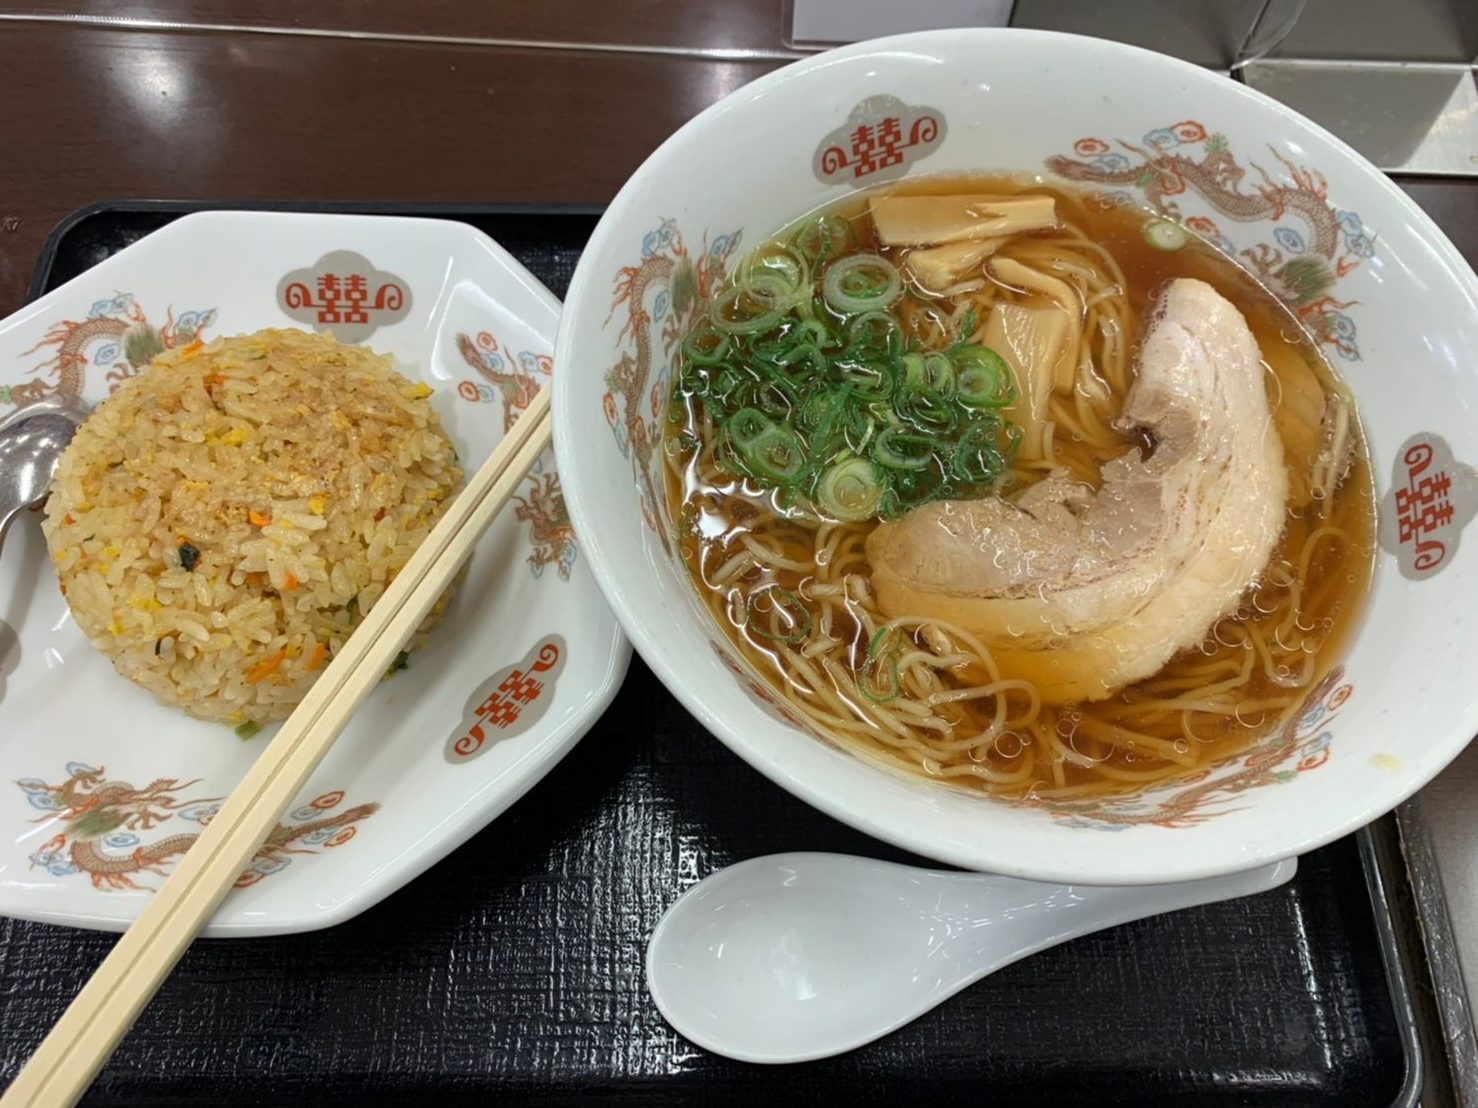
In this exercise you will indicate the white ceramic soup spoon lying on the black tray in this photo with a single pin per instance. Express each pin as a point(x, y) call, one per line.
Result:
point(799, 957)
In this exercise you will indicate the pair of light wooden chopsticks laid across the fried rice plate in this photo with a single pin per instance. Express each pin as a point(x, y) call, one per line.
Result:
point(88, 1033)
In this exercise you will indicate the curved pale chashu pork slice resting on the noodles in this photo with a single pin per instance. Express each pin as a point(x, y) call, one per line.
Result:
point(1089, 592)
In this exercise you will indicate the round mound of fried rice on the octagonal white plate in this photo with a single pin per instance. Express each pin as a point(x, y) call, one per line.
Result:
point(224, 521)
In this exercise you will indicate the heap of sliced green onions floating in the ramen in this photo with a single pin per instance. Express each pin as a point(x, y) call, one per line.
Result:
point(821, 397)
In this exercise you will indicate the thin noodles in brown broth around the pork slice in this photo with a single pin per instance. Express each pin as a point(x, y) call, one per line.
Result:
point(926, 697)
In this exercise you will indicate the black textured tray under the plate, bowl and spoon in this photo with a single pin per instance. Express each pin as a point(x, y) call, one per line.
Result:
point(514, 968)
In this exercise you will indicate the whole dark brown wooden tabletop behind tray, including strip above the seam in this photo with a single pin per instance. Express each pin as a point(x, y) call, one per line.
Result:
point(253, 100)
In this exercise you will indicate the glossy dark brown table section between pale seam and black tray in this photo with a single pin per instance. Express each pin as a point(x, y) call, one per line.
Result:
point(95, 113)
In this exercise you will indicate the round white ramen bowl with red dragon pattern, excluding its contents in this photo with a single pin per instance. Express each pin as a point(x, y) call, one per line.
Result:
point(1366, 270)
